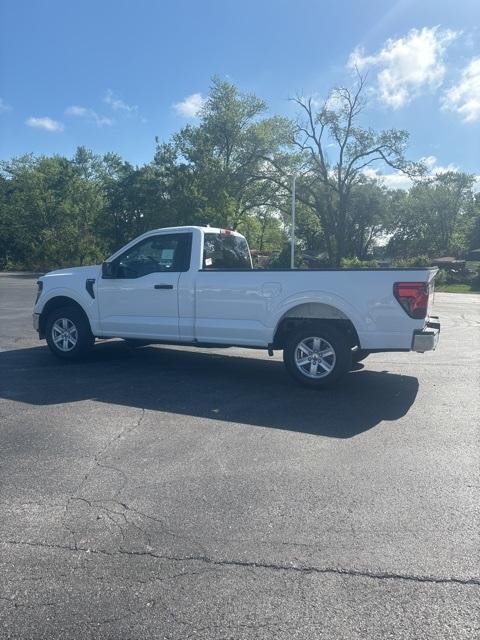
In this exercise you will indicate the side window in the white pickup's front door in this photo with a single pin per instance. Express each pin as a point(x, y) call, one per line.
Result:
point(168, 252)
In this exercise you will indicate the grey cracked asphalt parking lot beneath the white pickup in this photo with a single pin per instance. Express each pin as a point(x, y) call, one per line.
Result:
point(170, 493)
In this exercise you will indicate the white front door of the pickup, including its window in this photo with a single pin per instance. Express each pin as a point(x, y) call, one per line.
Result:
point(139, 298)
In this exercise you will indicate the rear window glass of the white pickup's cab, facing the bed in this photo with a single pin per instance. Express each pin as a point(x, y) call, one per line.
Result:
point(222, 251)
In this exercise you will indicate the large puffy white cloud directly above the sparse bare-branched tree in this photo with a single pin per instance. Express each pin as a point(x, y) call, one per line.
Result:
point(407, 66)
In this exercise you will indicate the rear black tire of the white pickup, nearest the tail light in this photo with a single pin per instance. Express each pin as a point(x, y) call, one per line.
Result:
point(331, 339)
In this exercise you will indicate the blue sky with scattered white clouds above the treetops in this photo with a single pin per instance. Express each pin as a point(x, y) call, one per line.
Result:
point(112, 75)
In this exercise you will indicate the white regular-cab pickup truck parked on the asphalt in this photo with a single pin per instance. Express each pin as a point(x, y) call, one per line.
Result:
point(196, 286)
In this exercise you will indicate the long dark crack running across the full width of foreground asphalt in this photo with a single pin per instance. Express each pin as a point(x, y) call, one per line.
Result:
point(250, 564)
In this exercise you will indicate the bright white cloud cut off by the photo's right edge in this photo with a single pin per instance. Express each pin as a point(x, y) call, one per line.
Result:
point(464, 97)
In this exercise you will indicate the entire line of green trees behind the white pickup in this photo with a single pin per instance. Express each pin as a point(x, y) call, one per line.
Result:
point(233, 169)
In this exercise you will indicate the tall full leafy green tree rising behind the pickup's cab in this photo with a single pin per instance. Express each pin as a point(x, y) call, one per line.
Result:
point(222, 161)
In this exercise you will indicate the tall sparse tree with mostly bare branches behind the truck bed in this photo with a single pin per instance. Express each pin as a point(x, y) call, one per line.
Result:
point(336, 150)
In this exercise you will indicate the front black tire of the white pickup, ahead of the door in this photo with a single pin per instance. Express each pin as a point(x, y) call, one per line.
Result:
point(80, 334)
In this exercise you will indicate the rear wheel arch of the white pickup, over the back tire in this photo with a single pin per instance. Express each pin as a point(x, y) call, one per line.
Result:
point(309, 313)
